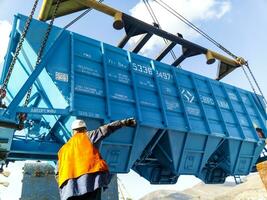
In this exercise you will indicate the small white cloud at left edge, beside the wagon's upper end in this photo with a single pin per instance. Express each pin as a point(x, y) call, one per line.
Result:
point(5, 28)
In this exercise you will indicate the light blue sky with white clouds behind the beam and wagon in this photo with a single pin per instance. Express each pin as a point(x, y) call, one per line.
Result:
point(240, 27)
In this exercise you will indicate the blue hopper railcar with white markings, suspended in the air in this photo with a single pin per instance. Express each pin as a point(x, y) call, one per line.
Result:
point(187, 123)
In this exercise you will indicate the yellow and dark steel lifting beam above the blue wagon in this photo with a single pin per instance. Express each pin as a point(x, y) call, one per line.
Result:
point(135, 27)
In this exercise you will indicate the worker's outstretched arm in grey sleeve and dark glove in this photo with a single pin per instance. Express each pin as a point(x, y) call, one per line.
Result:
point(104, 131)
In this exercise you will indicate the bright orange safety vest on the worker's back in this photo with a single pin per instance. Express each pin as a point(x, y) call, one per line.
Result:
point(78, 157)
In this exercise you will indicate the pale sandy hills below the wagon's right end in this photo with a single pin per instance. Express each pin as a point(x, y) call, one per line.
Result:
point(251, 189)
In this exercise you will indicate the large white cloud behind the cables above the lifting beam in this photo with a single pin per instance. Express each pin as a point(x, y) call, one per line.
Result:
point(193, 10)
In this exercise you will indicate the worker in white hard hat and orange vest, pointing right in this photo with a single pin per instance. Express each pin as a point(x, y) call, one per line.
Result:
point(82, 173)
